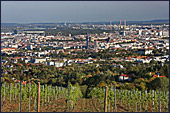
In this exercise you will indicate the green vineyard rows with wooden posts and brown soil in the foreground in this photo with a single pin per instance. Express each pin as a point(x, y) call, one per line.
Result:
point(71, 99)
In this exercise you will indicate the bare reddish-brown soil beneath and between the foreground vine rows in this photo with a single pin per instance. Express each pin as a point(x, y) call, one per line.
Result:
point(60, 105)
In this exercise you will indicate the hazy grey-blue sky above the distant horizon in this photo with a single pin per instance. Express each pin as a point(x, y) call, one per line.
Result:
point(82, 11)
